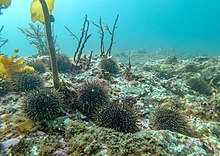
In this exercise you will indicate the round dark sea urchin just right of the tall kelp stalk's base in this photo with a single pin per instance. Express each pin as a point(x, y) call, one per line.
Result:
point(91, 95)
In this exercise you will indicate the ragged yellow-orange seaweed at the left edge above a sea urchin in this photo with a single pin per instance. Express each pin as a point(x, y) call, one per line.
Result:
point(10, 66)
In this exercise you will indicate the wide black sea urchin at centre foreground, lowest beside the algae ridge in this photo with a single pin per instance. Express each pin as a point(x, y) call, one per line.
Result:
point(117, 117)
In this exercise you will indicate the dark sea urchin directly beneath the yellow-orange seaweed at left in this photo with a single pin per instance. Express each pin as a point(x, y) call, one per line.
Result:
point(26, 81)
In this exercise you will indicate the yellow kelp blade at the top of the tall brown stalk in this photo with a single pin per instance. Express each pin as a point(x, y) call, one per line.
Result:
point(37, 12)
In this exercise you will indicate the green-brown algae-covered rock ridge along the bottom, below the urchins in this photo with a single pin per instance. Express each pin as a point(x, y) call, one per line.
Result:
point(85, 138)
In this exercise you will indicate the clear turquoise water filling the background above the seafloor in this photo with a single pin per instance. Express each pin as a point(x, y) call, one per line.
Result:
point(188, 26)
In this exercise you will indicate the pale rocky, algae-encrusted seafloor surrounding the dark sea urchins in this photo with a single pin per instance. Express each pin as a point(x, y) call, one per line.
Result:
point(190, 85)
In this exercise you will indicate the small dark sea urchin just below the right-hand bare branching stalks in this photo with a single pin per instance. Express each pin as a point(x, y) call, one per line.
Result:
point(109, 65)
